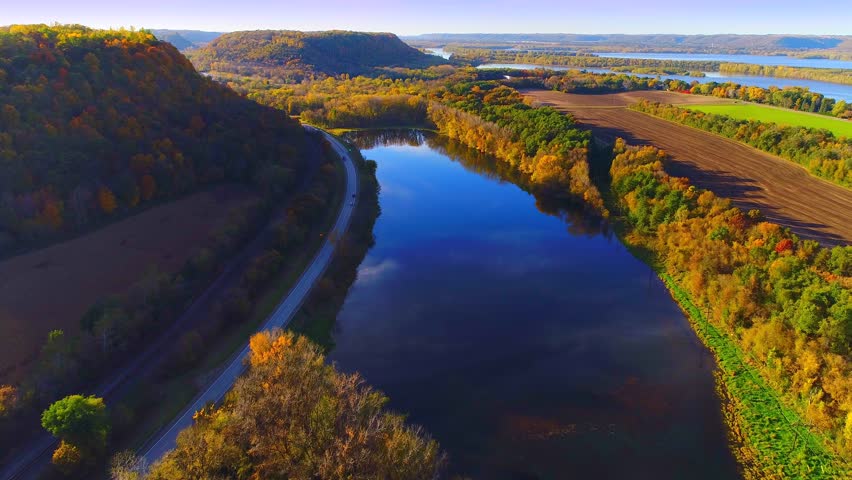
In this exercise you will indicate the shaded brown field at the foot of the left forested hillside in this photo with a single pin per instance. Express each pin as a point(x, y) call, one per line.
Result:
point(53, 287)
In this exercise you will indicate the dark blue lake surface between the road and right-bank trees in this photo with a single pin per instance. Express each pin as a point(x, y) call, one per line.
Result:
point(532, 345)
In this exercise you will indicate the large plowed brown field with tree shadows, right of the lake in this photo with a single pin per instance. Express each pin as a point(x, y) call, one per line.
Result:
point(785, 192)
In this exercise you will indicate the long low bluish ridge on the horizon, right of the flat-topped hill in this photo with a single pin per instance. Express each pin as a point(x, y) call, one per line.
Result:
point(664, 42)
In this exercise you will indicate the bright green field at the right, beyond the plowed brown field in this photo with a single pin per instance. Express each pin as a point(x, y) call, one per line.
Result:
point(749, 111)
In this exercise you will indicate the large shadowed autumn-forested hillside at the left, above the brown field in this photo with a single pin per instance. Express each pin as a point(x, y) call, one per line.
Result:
point(97, 123)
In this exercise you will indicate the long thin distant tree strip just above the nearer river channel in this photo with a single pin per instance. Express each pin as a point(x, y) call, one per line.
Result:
point(572, 59)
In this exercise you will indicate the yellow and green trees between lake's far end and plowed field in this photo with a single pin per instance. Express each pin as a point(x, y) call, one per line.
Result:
point(542, 143)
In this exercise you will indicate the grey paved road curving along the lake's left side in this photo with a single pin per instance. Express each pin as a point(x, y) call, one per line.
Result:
point(282, 315)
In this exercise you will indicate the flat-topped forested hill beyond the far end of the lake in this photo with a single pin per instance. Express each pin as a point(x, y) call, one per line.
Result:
point(310, 53)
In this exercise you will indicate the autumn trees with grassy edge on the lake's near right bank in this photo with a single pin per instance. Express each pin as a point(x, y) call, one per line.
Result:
point(784, 302)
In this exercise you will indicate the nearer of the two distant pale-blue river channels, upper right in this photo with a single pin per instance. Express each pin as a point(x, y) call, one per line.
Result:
point(831, 90)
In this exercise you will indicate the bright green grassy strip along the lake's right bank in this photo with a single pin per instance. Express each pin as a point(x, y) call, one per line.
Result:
point(780, 442)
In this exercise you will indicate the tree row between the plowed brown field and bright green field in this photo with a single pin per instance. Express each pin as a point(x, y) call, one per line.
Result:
point(819, 151)
